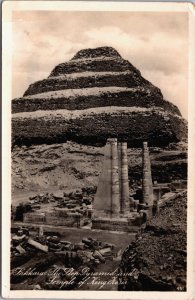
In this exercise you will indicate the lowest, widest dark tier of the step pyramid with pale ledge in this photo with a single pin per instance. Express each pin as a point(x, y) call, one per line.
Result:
point(94, 126)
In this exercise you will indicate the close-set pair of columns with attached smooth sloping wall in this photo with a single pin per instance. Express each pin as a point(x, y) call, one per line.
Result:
point(112, 197)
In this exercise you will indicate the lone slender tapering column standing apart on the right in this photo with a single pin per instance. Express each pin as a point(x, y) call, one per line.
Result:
point(147, 186)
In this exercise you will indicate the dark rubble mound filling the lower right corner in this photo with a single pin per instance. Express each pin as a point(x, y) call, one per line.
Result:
point(156, 261)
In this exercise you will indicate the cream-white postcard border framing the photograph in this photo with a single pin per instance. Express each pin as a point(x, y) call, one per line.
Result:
point(8, 7)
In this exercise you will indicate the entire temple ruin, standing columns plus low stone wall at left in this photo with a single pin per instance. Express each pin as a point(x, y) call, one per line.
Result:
point(114, 209)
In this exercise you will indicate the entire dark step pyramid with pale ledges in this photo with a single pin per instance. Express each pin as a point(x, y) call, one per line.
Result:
point(94, 96)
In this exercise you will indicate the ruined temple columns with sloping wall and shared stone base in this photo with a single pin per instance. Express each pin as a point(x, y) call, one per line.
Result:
point(113, 208)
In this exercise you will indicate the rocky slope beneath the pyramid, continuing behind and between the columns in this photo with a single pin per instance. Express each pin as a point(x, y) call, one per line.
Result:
point(70, 166)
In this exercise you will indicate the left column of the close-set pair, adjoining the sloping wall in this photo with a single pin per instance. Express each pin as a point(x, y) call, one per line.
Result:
point(115, 179)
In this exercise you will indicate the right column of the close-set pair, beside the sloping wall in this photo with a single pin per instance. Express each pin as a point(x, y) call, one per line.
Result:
point(124, 180)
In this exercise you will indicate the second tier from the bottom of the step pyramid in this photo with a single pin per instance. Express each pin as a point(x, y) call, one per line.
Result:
point(92, 97)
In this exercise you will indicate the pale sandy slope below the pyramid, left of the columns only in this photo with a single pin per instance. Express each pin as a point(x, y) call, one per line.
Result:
point(51, 168)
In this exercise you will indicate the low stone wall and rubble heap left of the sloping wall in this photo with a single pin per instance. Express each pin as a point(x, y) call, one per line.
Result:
point(45, 207)
